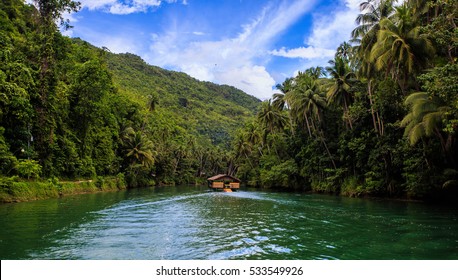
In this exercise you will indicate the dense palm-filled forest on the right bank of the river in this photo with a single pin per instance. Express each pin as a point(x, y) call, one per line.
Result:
point(380, 119)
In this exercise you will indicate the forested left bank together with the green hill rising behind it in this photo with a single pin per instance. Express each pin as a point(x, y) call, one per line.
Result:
point(70, 110)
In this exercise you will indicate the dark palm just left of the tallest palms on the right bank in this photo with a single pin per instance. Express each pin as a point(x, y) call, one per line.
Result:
point(339, 90)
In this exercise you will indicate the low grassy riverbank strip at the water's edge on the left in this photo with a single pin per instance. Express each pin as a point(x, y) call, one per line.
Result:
point(14, 189)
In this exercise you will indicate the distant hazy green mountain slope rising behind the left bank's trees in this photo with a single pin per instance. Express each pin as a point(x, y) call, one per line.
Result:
point(203, 107)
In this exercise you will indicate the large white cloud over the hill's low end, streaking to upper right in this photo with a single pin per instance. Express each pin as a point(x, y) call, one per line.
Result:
point(239, 60)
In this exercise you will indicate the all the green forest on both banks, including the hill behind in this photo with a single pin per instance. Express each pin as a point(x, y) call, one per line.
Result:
point(380, 119)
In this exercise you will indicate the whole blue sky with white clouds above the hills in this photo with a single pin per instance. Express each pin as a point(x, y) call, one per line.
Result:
point(250, 44)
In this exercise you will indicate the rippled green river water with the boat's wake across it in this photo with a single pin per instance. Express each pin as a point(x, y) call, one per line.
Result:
point(194, 223)
